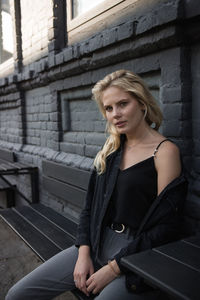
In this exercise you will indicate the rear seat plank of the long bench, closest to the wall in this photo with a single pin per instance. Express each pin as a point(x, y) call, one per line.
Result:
point(60, 220)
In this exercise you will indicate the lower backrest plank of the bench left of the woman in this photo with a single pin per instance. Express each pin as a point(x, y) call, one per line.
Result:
point(65, 191)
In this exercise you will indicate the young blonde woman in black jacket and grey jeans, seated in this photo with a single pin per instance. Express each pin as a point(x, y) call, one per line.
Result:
point(133, 201)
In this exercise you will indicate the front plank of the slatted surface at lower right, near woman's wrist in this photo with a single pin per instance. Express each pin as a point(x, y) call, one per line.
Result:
point(175, 278)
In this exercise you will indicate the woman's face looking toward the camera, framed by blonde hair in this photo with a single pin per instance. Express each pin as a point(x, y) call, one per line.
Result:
point(122, 110)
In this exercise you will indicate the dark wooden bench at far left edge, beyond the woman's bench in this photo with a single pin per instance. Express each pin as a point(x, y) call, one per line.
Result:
point(9, 166)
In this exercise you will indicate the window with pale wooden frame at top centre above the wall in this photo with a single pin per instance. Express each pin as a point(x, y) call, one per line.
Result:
point(85, 17)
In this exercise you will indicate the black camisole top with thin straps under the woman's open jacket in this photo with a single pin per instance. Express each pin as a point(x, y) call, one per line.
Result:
point(134, 192)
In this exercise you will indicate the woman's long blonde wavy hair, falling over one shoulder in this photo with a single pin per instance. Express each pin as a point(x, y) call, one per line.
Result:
point(135, 86)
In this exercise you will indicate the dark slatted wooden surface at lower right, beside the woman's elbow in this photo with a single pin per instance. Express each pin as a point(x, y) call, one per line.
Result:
point(173, 268)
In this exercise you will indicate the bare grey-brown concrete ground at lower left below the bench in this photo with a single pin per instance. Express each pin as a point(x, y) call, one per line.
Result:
point(16, 260)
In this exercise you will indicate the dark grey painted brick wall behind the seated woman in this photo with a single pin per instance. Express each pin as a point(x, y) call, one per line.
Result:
point(47, 101)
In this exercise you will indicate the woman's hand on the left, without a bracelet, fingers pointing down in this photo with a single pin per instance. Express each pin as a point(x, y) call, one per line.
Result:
point(83, 269)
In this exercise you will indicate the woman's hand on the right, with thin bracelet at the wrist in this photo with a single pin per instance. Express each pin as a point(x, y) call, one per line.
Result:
point(102, 277)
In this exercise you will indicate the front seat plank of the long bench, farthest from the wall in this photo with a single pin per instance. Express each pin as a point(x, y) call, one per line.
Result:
point(32, 237)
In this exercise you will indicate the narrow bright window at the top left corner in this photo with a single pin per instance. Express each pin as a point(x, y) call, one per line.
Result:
point(6, 34)
